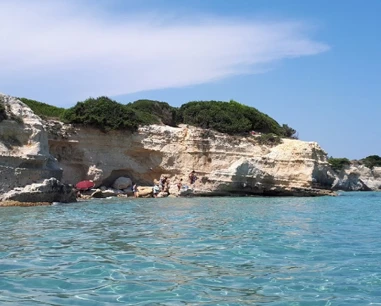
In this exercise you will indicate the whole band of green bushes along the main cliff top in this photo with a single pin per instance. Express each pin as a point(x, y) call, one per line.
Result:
point(107, 114)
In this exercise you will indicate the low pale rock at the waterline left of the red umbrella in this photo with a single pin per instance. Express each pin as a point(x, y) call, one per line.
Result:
point(50, 190)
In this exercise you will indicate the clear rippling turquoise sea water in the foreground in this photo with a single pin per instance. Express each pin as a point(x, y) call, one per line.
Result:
point(196, 251)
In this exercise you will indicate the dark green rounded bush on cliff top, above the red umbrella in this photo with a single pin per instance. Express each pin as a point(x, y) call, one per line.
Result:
point(103, 113)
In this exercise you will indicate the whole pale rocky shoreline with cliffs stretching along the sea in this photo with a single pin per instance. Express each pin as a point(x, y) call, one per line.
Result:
point(41, 161)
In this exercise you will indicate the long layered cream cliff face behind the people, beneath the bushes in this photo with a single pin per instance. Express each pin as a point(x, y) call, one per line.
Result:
point(224, 164)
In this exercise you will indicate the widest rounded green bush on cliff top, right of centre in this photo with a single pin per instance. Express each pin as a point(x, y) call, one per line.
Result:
point(227, 117)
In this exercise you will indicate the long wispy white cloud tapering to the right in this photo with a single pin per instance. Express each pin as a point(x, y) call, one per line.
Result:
point(76, 48)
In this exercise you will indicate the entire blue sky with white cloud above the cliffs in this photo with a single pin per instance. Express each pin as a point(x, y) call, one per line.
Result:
point(314, 65)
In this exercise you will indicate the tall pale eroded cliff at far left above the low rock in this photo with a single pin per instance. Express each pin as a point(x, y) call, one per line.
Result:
point(24, 148)
